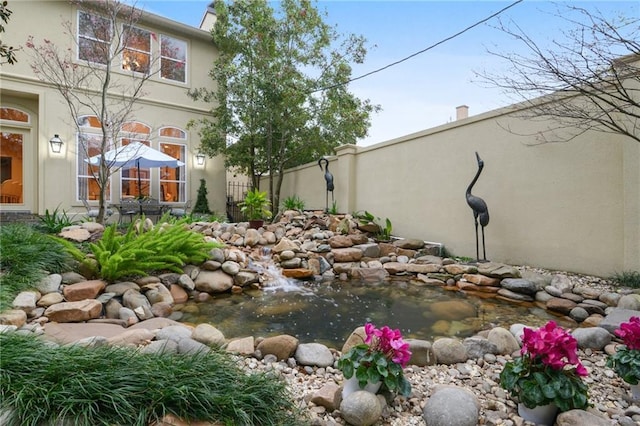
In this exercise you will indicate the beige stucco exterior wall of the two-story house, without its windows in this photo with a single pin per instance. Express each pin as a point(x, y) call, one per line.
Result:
point(50, 179)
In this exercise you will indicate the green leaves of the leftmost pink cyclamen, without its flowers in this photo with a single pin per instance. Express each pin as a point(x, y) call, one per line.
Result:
point(372, 367)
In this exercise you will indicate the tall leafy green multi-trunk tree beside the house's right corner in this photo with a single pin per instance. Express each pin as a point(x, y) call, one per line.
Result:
point(281, 95)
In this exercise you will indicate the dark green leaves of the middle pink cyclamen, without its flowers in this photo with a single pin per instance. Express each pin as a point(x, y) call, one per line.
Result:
point(544, 385)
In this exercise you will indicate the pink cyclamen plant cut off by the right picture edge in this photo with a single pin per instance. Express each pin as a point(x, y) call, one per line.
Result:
point(626, 360)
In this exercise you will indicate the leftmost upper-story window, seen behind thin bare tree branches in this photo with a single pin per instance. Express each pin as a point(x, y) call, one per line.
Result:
point(94, 38)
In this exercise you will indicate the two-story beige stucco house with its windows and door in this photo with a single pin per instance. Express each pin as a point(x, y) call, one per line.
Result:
point(42, 163)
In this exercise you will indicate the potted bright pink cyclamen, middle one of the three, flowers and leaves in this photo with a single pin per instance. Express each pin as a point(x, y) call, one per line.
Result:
point(548, 372)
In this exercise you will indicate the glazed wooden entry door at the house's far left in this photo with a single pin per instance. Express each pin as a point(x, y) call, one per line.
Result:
point(14, 182)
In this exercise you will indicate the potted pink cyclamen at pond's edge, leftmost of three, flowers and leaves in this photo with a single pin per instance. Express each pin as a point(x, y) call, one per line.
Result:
point(380, 359)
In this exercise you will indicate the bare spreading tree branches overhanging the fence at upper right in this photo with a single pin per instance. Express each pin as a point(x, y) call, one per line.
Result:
point(593, 73)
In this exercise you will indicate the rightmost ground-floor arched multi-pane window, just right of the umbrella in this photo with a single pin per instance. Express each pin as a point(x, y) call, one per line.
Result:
point(173, 181)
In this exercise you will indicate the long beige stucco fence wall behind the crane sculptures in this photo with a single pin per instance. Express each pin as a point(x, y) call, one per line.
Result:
point(572, 206)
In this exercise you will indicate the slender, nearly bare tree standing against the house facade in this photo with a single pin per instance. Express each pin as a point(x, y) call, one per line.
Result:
point(111, 97)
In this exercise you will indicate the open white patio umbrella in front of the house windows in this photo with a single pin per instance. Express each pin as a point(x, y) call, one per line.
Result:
point(136, 154)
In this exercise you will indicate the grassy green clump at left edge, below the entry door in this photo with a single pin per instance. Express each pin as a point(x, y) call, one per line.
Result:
point(26, 256)
